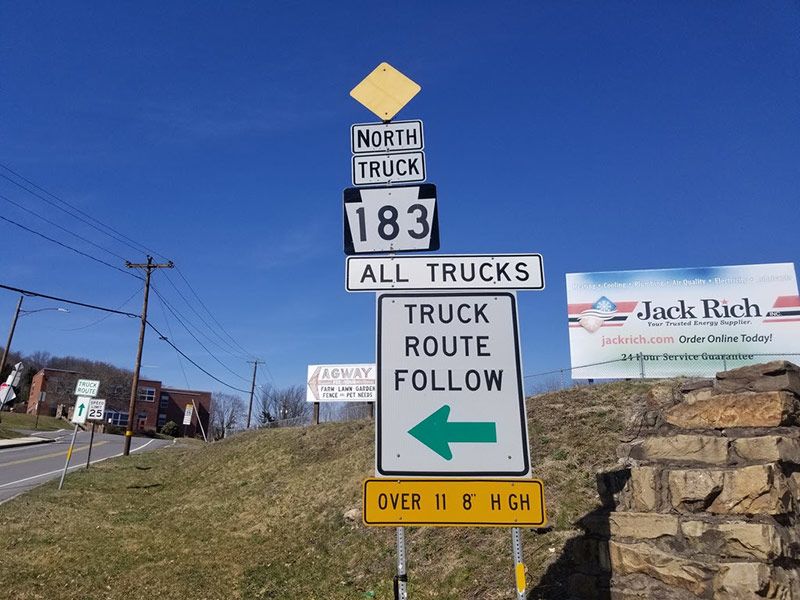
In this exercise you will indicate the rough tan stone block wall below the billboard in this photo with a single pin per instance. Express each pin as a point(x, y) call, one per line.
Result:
point(707, 502)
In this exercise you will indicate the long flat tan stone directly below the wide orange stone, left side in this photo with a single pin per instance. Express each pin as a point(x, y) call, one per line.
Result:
point(683, 448)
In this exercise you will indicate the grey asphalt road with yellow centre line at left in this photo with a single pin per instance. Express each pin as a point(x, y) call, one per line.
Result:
point(24, 468)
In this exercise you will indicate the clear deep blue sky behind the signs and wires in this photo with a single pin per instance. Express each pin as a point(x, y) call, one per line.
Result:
point(604, 135)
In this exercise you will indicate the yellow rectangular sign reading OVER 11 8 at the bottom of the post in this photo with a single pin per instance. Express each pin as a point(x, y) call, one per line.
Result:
point(454, 502)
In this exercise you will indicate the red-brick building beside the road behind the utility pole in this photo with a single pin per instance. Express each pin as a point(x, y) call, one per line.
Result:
point(155, 404)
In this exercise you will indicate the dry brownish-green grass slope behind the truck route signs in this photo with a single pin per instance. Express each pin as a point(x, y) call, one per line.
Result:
point(261, 515)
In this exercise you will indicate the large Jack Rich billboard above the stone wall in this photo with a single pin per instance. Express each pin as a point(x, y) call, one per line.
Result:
point(670, 322)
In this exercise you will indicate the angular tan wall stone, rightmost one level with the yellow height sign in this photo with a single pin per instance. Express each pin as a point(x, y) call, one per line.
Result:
point(760, 489)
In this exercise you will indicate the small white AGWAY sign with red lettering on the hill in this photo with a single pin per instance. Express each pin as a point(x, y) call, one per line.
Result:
point(341, 383)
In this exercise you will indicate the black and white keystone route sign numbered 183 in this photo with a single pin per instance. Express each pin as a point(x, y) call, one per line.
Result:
point(391, 219)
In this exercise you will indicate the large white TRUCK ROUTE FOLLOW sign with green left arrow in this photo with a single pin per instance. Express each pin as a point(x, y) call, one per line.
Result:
point(450, 399)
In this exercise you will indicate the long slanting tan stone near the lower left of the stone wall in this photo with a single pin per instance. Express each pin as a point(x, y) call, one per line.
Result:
point(688, 575)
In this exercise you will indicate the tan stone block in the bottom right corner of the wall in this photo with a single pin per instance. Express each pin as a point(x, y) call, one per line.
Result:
point(755, 581)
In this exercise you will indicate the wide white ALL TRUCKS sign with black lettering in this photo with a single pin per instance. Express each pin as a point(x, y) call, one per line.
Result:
point(442, 271)
